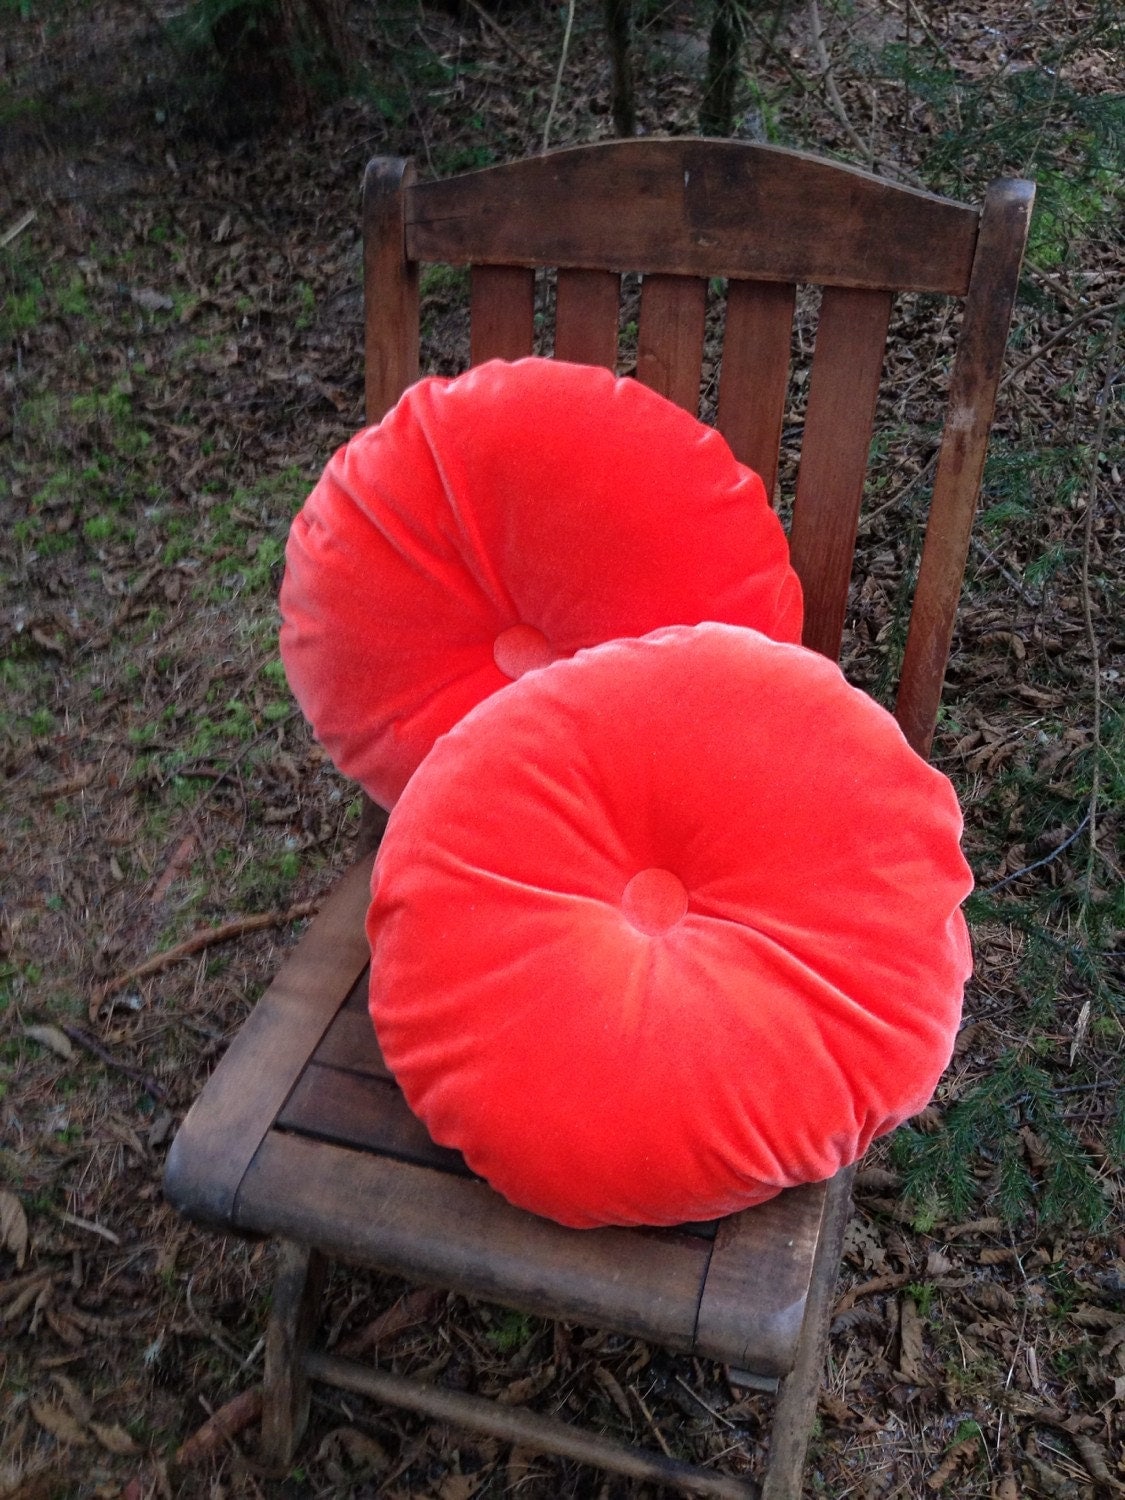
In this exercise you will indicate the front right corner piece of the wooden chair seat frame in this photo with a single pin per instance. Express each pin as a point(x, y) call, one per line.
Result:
point(770, 1247)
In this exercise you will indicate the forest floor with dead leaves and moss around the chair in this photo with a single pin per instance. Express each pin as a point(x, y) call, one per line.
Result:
point(182, 337)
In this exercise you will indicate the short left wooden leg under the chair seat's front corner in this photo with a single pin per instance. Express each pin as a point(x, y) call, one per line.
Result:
point(286, 1397)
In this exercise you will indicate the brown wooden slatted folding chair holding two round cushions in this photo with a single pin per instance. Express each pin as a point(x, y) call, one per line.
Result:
point(301, 1133)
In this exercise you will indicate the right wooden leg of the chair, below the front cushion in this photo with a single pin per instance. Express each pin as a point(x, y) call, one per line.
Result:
point(796, 1412)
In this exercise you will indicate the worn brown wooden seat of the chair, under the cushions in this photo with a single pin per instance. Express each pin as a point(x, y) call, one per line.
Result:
point(302, 1133)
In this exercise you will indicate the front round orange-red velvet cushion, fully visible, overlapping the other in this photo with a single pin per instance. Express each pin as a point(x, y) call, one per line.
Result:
point(668, 928)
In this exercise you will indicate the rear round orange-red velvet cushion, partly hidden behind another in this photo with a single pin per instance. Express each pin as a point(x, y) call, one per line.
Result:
point(496, 523)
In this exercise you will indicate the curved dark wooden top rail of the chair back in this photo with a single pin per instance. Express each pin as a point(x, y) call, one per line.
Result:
point(695, 208)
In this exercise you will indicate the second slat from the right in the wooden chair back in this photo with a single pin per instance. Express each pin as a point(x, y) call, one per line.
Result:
point(755, 373)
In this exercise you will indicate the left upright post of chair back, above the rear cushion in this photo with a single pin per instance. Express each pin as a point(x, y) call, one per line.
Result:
point(391, 287)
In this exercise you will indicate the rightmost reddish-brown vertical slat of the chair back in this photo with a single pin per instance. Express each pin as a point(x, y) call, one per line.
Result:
point(842, 394)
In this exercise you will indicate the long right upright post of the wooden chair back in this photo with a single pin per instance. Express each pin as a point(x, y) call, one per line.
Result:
point(958, 482)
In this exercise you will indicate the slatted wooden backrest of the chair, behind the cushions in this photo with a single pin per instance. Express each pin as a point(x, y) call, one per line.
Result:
point(683, 212)
